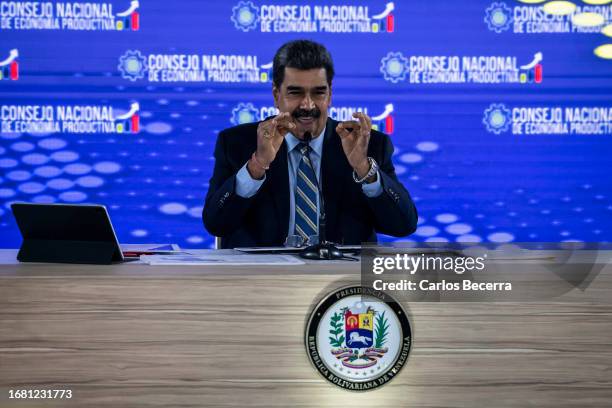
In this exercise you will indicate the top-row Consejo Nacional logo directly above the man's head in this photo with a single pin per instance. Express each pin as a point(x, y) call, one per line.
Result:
point(300, 18)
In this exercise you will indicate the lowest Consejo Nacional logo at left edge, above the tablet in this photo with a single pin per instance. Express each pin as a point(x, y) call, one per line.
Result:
point(69, 119)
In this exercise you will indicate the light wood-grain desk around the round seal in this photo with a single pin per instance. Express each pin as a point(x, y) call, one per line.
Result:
point(138, 335)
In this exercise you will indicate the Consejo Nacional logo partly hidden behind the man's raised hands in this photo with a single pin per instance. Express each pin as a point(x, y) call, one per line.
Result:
point(248, 113)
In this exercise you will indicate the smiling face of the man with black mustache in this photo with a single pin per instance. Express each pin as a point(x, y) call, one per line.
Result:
point(306, 95)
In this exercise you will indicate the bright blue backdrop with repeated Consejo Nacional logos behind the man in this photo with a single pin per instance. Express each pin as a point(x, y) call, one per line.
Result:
point(500, 111)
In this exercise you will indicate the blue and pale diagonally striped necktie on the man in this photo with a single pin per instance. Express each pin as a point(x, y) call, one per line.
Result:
point(306, 192)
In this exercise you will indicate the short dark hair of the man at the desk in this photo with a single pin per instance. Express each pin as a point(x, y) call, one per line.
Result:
point(304, 55)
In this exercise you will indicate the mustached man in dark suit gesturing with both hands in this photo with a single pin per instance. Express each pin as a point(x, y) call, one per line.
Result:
point(264, 186)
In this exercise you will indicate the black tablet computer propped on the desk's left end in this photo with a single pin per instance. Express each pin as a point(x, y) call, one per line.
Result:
point(66, 233)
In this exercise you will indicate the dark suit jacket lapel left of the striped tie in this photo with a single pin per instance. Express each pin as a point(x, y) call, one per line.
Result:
point(279, 183)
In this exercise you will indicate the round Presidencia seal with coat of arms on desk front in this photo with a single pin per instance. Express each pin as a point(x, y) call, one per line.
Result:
point(358, 338)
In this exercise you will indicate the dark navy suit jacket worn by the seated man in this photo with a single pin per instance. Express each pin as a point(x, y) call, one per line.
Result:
point(263, 220)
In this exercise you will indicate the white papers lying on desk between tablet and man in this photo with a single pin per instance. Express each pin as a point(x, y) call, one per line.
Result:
point(221, 259)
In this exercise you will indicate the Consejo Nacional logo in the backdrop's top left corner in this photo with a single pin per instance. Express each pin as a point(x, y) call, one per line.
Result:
point(28, 15)
